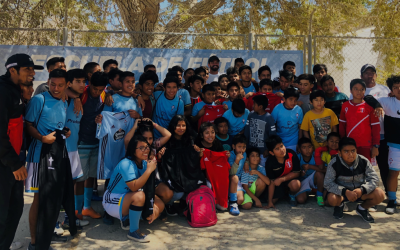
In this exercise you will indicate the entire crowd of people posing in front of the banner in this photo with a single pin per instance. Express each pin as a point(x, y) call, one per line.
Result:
point(154, 142)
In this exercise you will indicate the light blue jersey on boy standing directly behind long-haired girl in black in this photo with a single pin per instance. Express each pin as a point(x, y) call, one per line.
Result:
point(165, 109)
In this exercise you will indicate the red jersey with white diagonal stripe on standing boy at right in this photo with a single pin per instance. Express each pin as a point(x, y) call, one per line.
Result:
point(359, 122)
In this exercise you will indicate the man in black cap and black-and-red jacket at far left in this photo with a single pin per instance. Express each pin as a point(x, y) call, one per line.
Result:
point(20, 72)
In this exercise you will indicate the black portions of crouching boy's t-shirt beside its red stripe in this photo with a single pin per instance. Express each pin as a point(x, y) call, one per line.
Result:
point(274, 169)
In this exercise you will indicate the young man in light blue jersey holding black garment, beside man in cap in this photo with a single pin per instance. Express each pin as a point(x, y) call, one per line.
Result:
point(45, 114)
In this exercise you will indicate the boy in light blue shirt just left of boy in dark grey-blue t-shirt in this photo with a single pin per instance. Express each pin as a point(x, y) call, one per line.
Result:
point(237, 117)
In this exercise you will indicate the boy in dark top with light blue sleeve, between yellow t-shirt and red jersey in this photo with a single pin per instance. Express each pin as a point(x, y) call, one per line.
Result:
point(334, 100)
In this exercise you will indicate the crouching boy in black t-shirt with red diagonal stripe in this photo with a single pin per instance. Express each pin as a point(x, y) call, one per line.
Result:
point(283, 169)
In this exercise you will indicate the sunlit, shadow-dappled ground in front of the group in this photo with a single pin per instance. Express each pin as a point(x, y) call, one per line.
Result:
point(303, 227)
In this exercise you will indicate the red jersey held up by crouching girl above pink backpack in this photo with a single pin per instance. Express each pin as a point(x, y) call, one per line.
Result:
point(217, 169)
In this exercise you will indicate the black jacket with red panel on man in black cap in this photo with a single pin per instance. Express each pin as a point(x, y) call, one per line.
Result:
point(11, 110)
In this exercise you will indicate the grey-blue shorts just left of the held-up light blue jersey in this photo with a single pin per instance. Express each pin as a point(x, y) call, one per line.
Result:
point(88, 155)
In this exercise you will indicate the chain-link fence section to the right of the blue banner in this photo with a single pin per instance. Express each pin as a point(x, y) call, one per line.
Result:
point(344, 57)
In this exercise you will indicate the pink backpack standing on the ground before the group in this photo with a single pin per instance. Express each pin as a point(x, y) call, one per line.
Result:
point(201, 208)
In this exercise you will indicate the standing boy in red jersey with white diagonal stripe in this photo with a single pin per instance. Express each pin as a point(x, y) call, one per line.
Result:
point(358, 121)
